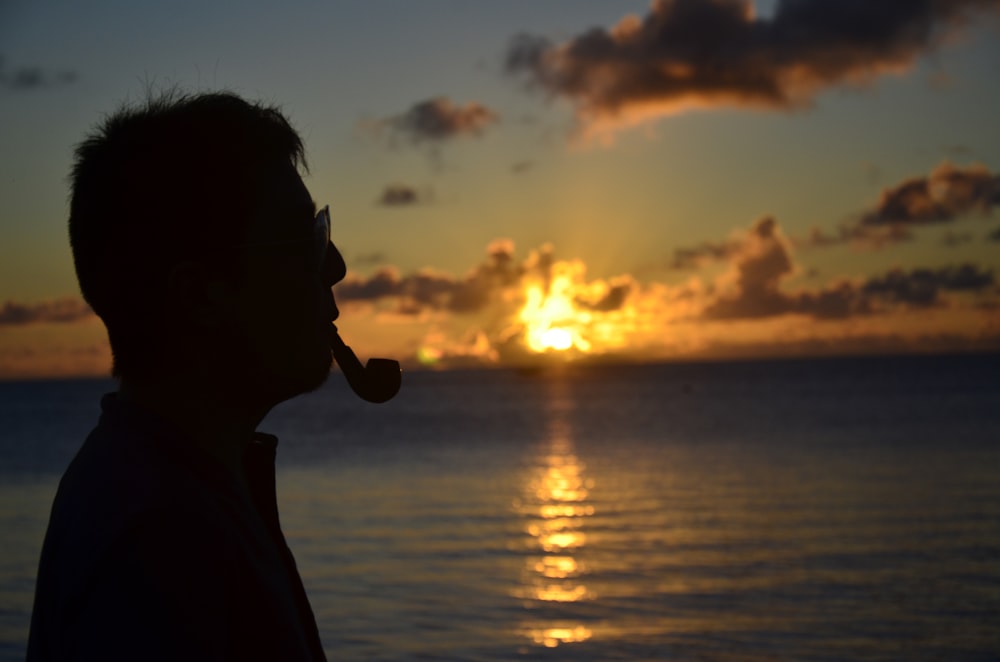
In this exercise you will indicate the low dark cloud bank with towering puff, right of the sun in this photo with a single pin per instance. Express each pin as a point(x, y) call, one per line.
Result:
point(765, 261)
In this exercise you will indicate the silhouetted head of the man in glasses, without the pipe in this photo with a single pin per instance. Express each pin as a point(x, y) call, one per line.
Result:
point(193, 240)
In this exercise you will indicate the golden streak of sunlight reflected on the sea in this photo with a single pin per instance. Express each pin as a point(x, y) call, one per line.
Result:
point(556, 507)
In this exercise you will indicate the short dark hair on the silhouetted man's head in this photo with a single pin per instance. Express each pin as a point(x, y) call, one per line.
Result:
point(159, 182)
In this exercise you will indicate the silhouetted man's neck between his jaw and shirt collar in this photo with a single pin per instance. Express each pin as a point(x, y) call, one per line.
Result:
point(209, 417)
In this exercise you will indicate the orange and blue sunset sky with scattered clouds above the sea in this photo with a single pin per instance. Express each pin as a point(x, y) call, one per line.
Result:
point(520, 182)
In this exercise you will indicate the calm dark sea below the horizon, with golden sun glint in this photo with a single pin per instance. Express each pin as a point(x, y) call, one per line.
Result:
point(823, 510)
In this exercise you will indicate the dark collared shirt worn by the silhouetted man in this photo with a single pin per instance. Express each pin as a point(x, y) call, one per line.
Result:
point(155, 551)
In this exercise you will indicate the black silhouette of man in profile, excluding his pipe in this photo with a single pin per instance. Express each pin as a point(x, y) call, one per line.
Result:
point(197, 243)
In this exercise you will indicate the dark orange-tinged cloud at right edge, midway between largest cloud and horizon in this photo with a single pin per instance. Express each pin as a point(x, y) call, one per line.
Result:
point(947, 194)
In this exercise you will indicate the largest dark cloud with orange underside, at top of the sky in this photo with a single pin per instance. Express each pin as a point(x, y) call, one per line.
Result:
point(688, 54)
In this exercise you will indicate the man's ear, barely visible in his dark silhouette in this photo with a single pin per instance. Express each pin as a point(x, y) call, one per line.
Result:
point(196, 296)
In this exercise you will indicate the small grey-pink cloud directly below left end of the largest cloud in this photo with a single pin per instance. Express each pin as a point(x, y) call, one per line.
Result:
point(438, 120)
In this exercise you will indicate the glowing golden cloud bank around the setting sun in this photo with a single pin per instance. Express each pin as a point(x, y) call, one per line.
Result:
point(488, 314)
